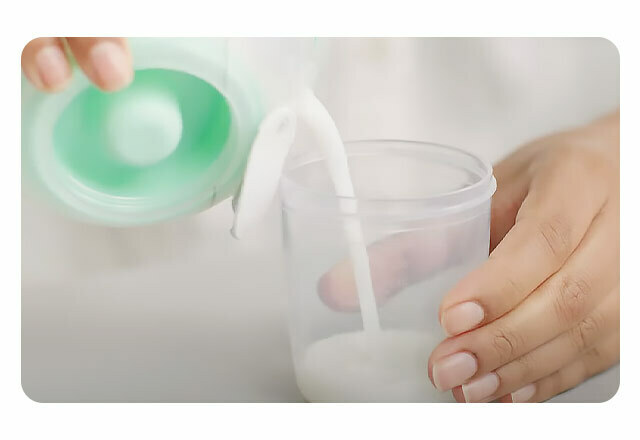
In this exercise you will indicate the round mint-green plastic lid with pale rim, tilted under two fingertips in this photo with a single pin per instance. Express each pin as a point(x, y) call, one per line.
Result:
point(174, 142)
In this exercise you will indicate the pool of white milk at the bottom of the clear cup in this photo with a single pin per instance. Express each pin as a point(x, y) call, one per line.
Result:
point(390, 366)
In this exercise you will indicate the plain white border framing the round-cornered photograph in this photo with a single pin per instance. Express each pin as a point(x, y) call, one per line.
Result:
point(597, 19)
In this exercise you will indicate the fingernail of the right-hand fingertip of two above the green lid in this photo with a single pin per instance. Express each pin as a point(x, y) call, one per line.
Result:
point(111, 65)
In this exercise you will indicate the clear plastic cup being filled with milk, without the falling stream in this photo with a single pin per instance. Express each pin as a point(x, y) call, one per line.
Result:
point(424, 210)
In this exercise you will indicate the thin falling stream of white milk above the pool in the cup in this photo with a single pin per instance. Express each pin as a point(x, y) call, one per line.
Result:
point(328, 137)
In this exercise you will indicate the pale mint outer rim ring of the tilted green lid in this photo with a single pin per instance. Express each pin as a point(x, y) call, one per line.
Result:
point(109, 209)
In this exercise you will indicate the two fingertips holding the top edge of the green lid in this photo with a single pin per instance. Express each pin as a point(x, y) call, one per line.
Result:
point(106, 62)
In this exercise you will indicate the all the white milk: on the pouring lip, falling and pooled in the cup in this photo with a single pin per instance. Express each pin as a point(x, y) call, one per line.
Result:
point(368, 365)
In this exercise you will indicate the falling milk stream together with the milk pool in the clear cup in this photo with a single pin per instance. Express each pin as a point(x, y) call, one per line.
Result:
point(373, 364)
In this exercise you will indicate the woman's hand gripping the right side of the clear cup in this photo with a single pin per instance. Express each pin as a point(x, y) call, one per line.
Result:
point(542, 314)
